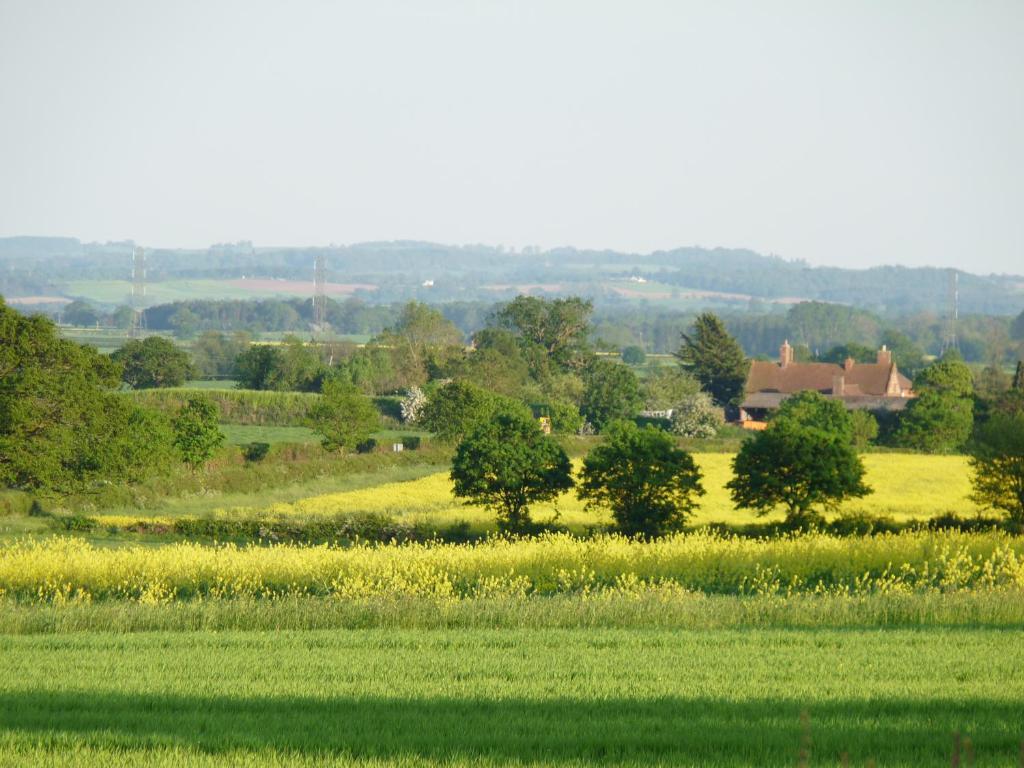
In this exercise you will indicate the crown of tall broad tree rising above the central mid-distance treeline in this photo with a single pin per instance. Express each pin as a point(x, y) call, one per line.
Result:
point(559, 327)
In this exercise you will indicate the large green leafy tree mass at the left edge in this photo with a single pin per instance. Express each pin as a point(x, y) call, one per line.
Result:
point(62, 428)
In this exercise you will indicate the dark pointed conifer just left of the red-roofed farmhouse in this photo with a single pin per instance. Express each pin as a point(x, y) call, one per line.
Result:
point(715, 359)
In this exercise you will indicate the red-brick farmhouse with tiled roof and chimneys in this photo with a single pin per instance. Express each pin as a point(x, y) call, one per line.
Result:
point(866, 387)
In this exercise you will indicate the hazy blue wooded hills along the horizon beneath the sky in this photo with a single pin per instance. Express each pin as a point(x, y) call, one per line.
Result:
point(402, 270)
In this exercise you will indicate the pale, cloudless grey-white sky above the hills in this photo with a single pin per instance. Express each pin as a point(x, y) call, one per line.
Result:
point(843, 134)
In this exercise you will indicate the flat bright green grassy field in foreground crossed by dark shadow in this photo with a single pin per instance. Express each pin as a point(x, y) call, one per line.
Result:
point(503, 697)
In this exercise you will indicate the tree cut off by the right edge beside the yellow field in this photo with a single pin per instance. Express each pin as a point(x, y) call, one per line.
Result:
point(998, 464)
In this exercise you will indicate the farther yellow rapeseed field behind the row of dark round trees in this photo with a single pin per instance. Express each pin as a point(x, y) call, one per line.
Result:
point(907, 487)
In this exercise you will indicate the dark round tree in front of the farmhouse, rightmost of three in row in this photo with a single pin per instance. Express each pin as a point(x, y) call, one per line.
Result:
point(798, 467)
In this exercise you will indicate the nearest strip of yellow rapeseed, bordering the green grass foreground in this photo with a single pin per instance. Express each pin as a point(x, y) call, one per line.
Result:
point(67, 569)
